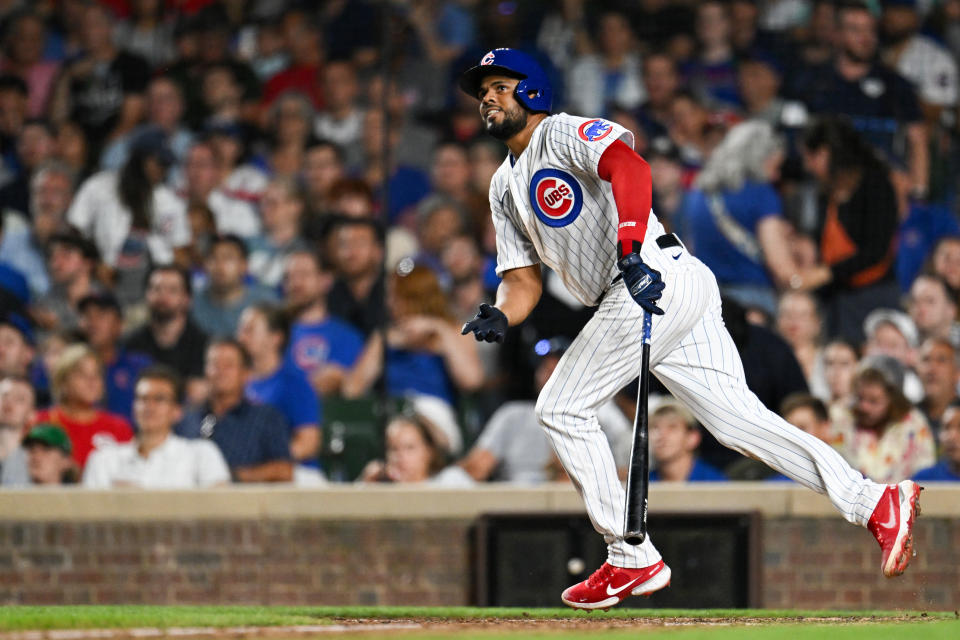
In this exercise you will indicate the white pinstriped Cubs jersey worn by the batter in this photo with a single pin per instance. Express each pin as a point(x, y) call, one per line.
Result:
point(549, 205)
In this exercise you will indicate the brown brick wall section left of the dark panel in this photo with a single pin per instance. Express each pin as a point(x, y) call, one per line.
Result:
point(290, 562)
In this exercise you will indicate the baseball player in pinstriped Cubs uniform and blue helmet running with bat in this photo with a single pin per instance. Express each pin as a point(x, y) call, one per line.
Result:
point(573, 195)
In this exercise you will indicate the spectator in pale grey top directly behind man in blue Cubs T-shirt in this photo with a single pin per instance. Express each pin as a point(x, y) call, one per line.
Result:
point(282, 208)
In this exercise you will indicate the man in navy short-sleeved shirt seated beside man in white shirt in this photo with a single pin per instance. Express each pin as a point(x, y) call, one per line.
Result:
point(252, 438)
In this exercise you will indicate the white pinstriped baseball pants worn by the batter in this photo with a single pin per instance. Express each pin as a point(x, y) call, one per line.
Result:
point(695, 358)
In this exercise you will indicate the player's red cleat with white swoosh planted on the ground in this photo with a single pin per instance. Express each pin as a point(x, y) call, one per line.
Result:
point(609, 585)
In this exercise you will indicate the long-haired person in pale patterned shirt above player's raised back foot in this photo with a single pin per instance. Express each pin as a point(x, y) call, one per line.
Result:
point(883, 436)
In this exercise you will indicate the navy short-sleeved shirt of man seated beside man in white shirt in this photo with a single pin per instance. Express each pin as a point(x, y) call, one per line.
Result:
point(248, 435)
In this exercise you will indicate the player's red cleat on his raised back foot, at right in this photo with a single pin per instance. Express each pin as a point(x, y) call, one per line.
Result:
point(892, 525)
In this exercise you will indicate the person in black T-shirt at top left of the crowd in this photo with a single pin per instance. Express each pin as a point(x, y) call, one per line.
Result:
point(102, 89)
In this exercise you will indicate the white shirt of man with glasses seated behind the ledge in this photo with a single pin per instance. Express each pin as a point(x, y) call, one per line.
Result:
point(178, 463)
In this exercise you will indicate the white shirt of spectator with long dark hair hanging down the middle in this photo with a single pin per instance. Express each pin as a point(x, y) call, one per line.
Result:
point(100, 215)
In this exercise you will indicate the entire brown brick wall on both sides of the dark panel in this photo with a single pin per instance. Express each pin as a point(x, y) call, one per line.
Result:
point(807, 563)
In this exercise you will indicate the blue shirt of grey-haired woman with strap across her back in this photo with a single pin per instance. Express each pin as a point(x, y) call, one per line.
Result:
point(748, 206)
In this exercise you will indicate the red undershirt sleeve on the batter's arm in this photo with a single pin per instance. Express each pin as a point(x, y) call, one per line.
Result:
point(629, 175)
